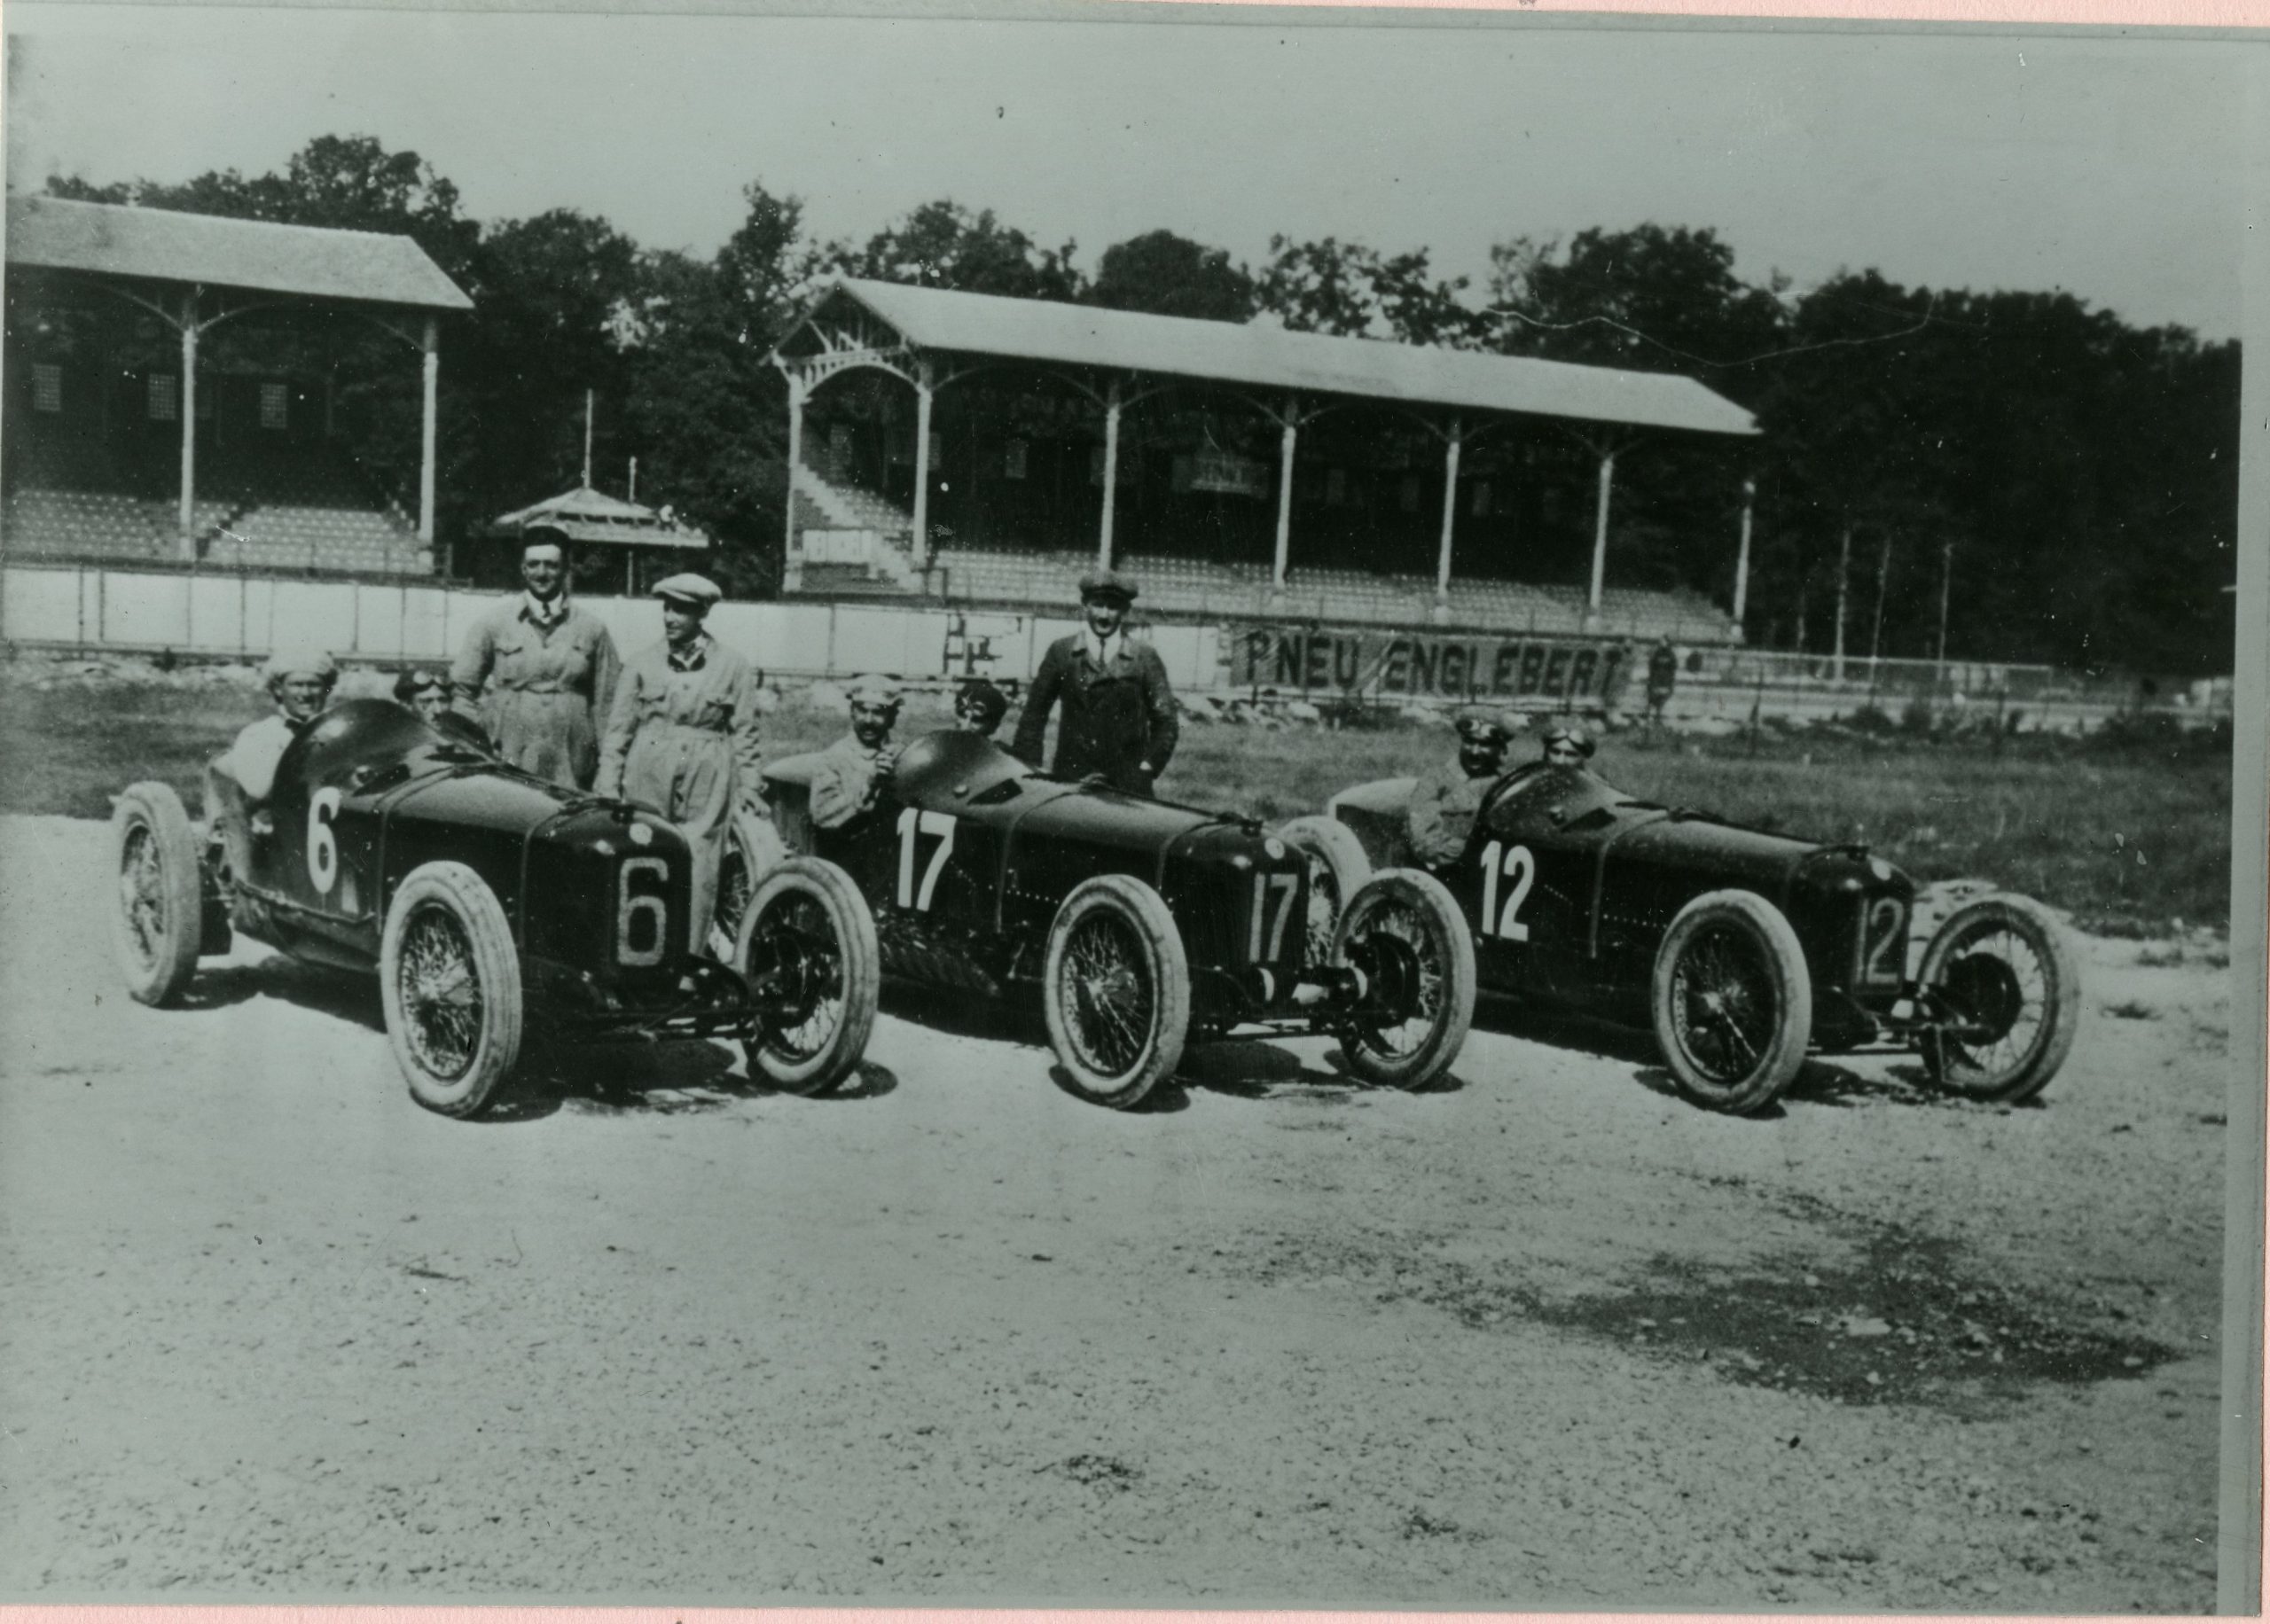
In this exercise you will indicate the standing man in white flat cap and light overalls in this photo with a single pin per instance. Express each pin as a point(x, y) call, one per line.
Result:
point(682, 734)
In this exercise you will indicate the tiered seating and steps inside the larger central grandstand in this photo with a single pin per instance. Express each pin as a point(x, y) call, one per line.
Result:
point(861, 545)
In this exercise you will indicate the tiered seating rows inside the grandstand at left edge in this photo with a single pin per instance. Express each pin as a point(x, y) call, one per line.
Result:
point(267, 511)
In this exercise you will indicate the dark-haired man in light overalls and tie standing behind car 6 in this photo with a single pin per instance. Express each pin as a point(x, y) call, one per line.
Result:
point(541, 673)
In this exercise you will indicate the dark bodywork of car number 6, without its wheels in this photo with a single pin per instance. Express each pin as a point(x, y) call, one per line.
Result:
point(596, 893)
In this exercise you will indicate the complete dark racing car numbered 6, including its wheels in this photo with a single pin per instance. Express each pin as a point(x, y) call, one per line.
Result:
point(482, 895)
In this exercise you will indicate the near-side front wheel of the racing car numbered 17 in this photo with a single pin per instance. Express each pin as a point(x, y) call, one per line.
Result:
point(1116, 990)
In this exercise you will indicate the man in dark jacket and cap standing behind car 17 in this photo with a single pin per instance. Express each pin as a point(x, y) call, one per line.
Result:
point(1120, 720)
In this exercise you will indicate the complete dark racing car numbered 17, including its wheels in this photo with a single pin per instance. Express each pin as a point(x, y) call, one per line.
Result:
point(1143, 924)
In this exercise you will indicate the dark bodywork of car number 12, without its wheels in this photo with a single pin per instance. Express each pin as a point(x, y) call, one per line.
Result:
point(1570, 888)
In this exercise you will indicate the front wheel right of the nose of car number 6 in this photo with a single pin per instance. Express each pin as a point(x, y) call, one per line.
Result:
point(809, 954)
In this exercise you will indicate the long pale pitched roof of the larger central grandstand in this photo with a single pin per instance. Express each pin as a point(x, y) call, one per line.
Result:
point(1270, 357)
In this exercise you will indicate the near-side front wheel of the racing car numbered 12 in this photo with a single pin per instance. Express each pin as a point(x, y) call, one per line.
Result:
point(1733, 1001)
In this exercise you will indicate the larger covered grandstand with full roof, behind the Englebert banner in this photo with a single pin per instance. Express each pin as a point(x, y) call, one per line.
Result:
point(1243, 473)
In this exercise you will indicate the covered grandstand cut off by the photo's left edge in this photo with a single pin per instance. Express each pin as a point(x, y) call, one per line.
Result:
point(171, 394)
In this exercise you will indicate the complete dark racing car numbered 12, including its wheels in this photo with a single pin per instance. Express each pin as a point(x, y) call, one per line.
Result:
point(1742, 949)
